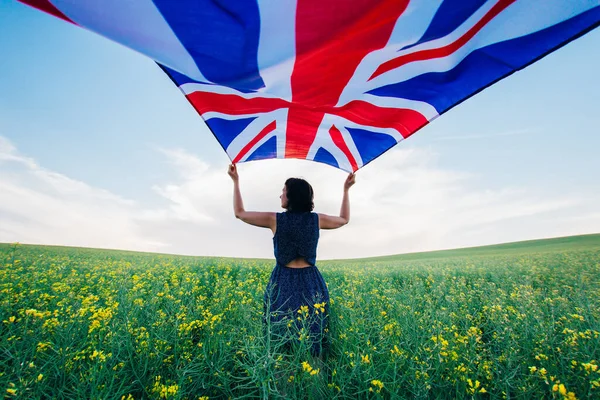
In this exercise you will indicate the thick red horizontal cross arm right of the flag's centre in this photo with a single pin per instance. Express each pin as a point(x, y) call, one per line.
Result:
point(403, 120)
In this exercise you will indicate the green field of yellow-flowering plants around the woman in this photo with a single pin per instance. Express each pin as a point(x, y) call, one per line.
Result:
point(518, 320)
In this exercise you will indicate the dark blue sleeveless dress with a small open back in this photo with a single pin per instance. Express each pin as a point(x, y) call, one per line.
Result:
point(297, 289)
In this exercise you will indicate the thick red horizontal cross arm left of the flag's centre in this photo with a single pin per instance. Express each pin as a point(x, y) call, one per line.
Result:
point(232, 104)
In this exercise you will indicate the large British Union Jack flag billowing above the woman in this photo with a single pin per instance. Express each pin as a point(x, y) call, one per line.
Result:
point(334, 81)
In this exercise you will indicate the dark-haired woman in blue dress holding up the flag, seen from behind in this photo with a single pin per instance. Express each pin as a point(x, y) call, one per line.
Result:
point(296, 290)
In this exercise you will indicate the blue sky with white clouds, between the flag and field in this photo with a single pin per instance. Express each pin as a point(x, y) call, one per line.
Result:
point(99, 149)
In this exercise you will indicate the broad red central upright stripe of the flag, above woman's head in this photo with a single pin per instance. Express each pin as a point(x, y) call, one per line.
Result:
point(332, 38)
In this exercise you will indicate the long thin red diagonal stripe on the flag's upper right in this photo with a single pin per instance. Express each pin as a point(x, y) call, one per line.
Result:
point(446, 50)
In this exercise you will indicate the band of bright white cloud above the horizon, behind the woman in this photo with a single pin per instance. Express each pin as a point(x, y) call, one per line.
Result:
point(402, 202)
